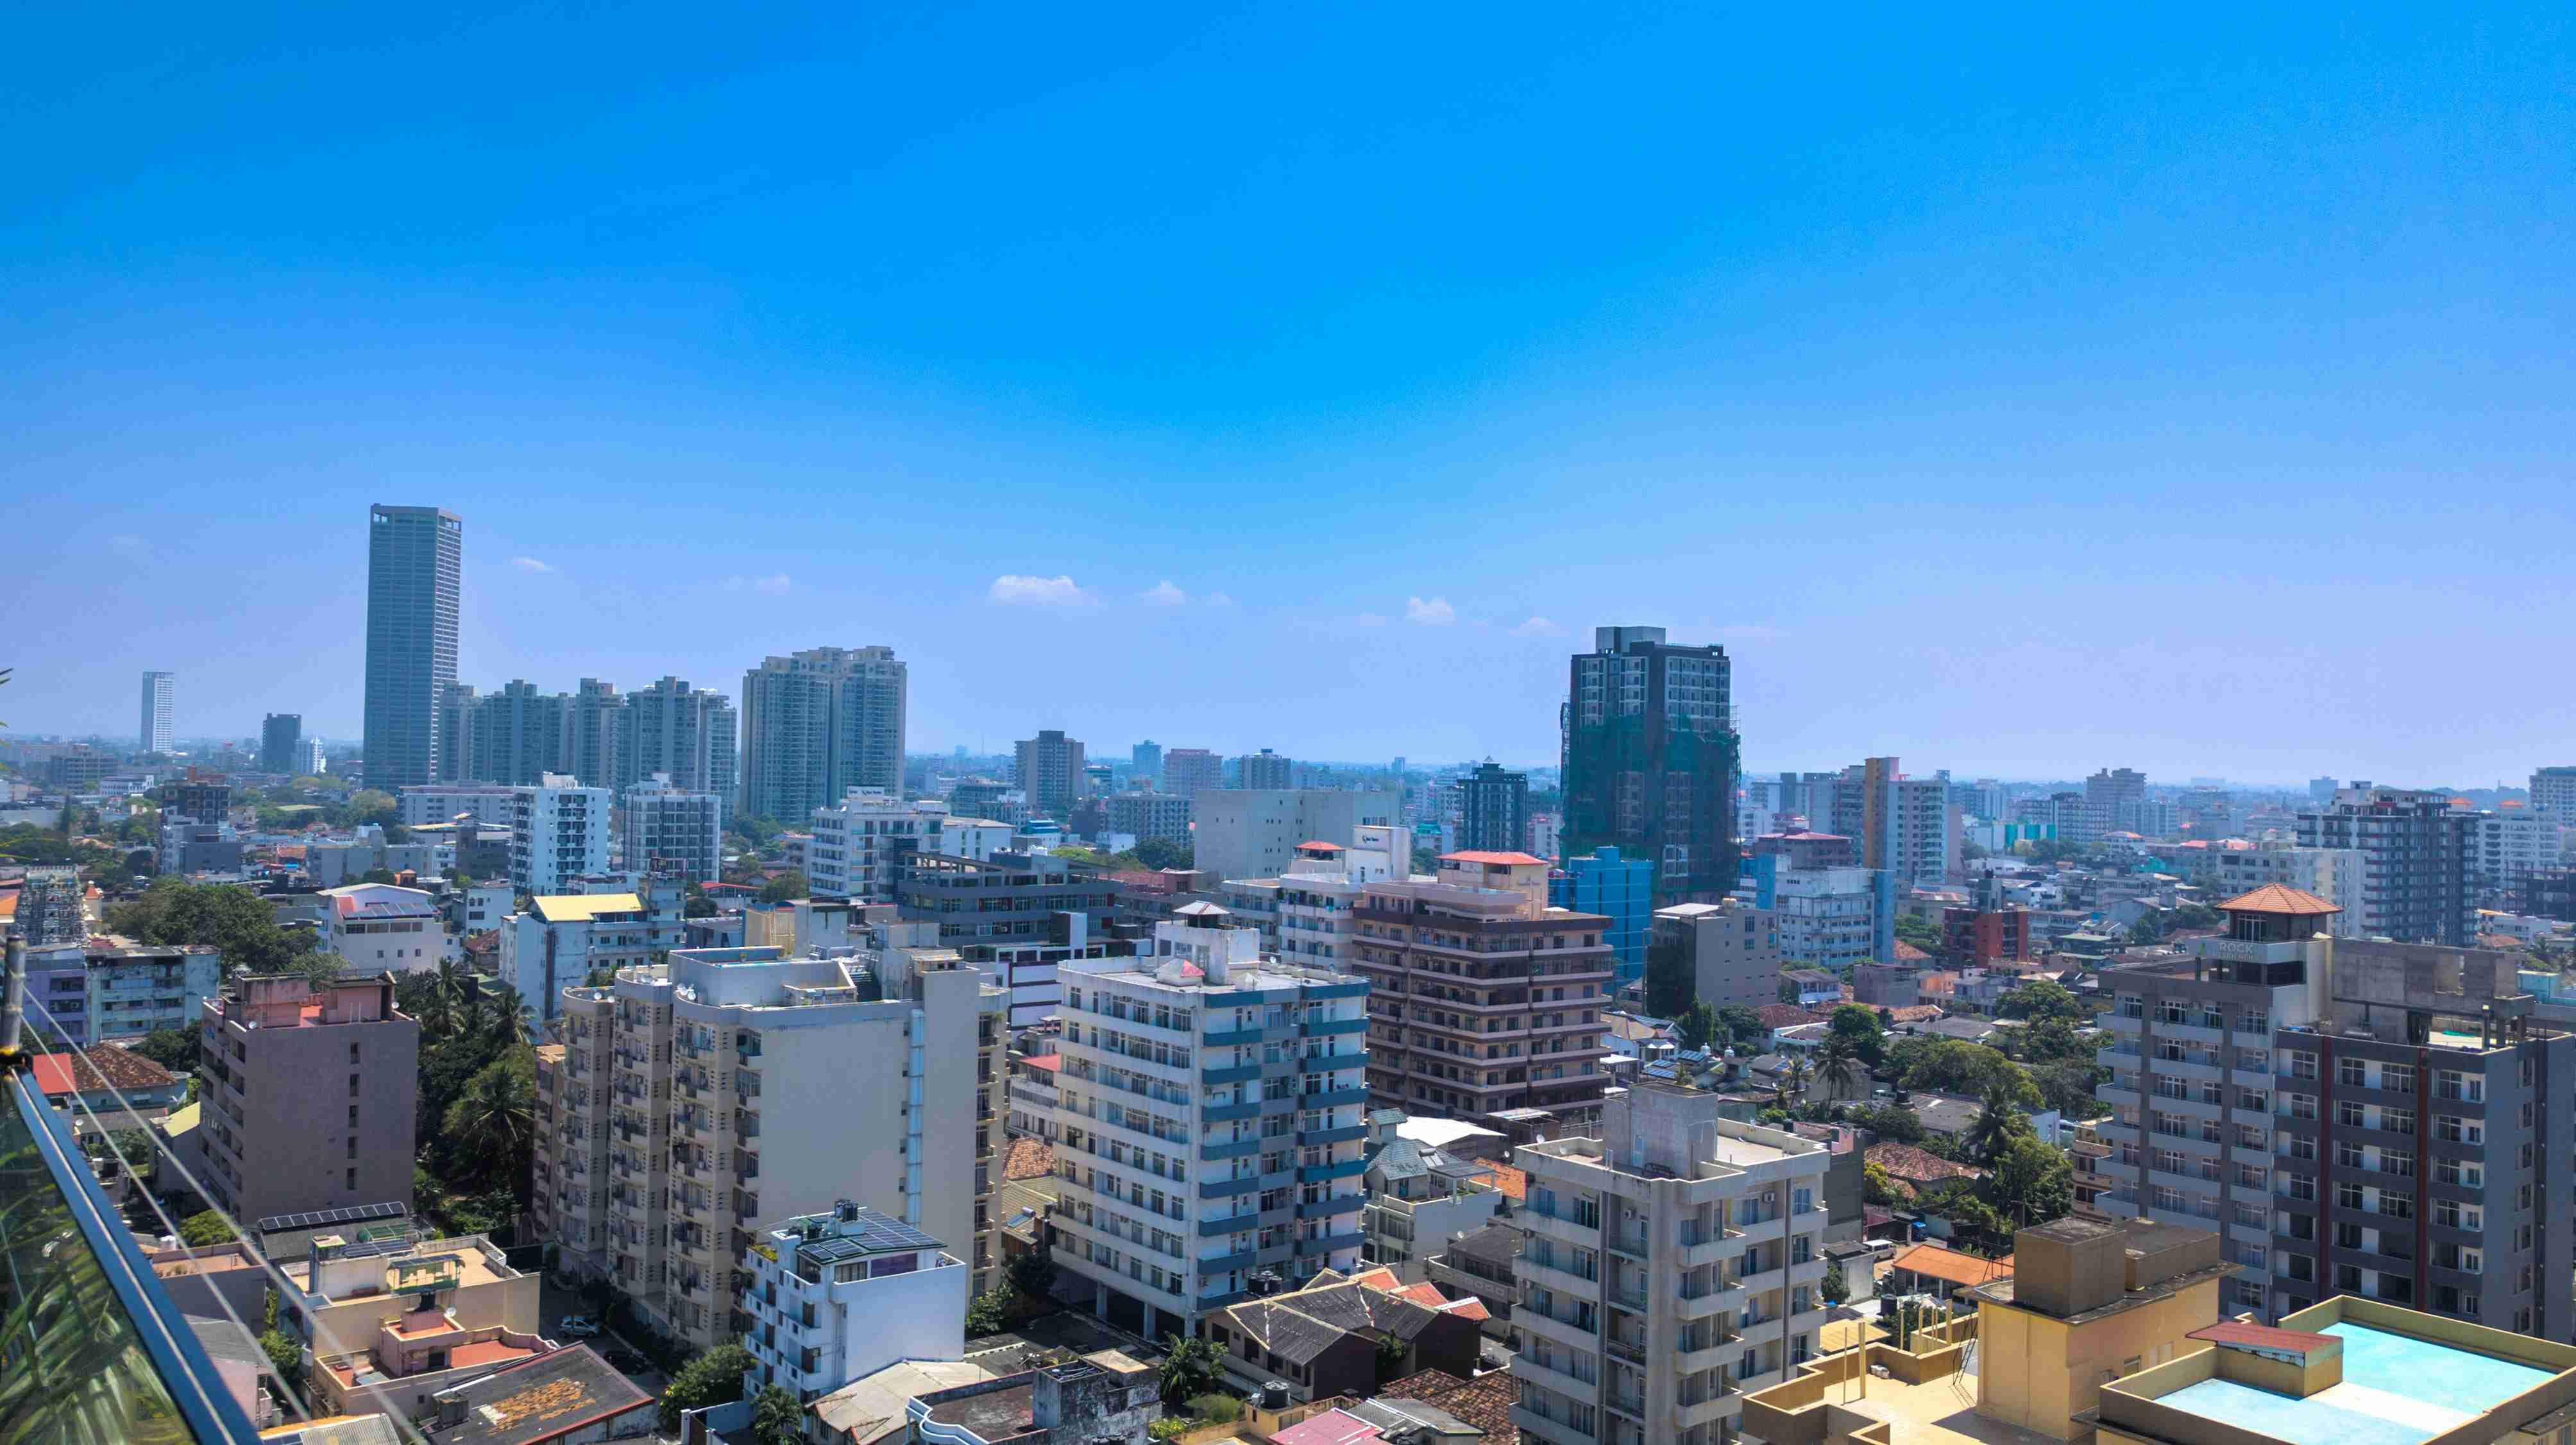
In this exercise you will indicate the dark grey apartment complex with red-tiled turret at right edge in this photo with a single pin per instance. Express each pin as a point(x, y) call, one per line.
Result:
point(2353, 1117)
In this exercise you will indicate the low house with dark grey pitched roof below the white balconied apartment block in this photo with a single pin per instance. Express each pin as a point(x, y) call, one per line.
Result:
point(1325, 1341)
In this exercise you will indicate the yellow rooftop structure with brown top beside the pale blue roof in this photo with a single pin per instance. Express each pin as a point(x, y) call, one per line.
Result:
point(2090, 1302)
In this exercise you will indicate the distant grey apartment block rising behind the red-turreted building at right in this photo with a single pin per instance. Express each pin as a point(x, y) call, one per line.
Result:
point(2418, 862)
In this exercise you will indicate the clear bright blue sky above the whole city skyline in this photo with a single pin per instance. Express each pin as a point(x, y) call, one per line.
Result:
point(2018, 393)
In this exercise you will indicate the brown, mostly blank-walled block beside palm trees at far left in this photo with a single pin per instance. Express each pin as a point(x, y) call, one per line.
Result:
point(279, 1129)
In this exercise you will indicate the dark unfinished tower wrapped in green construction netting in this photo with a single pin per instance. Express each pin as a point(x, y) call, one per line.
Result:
point(1653, 759)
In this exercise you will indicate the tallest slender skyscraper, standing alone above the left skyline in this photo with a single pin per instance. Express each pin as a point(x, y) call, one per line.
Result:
point(416, 560)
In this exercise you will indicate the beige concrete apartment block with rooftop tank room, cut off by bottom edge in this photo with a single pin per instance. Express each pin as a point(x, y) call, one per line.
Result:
point(1673, 1266)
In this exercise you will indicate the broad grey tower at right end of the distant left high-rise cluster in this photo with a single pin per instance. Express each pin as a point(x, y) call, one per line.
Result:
point(818, 725)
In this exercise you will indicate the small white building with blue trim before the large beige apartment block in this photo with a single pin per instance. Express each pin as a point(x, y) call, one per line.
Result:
point(841, 1294)
